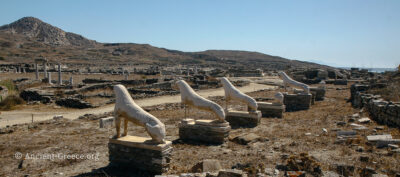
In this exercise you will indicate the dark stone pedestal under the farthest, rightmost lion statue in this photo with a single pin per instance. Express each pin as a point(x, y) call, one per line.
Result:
point(296, 102)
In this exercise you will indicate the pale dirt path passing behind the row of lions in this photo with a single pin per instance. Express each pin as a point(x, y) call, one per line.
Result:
point(24, 116)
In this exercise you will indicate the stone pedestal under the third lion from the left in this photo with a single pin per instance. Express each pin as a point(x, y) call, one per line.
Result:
point(243, 118)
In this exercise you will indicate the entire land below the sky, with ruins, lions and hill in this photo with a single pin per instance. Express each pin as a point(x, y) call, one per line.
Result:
point(71, 106)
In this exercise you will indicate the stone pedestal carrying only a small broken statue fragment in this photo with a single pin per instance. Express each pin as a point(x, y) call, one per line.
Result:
point(271, 109)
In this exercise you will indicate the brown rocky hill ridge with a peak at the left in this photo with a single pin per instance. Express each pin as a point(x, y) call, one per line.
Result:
point(29, 37)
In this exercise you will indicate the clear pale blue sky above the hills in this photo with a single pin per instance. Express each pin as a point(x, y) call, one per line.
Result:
point(362, 33)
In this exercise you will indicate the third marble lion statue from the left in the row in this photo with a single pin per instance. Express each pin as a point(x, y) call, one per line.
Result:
point(232, 93)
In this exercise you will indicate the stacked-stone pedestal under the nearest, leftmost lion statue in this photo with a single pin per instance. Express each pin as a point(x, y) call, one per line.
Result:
point(139, 153)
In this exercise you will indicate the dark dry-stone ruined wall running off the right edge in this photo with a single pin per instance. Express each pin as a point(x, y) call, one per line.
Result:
point(384, 112)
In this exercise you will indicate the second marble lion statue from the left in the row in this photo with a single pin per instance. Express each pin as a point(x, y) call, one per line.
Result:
point(191, 98)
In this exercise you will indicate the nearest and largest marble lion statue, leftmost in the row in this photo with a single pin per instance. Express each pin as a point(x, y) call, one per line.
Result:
point(127, 109)
